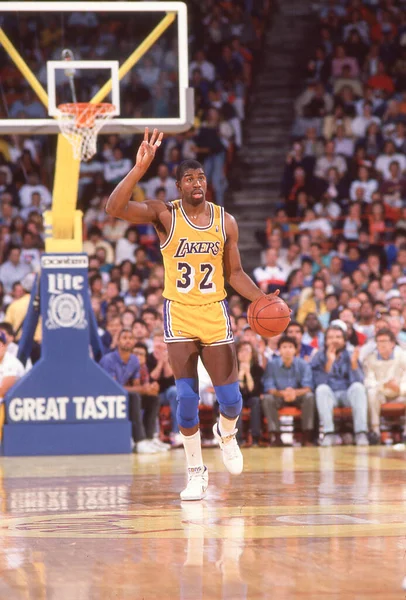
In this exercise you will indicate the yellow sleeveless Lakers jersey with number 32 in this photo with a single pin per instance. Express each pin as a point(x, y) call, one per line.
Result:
point(193, 258)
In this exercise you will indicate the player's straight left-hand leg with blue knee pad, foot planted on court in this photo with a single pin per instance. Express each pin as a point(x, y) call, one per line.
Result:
point(183, 357)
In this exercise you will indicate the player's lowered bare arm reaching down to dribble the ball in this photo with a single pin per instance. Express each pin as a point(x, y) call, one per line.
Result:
point(234, 273)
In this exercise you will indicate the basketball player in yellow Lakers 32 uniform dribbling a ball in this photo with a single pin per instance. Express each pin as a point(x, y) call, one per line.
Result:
point(199, 248)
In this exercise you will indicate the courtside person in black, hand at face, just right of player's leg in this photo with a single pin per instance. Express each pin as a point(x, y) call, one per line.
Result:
point(250, 380)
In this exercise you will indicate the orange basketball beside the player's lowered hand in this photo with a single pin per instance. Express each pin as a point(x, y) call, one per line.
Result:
point(268, 316)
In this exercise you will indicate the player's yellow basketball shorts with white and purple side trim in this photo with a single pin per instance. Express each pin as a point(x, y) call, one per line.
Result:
point(209, 323)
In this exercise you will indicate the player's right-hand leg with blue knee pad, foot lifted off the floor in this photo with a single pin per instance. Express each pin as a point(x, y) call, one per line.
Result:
point(221, 364)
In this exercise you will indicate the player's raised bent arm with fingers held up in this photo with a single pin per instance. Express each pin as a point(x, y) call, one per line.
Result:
point(119, 205)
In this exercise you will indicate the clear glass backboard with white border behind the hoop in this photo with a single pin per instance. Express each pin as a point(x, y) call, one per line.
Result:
point(147, 41)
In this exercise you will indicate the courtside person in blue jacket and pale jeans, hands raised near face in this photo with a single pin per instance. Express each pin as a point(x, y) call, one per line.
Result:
point(338, 380)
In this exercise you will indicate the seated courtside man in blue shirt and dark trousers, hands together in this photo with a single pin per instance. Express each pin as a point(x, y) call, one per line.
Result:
point(288, 382)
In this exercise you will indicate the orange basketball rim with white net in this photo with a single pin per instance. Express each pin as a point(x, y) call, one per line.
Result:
point(80, 124)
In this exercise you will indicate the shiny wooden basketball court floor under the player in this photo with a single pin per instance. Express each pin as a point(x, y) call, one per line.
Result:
point(317, 523)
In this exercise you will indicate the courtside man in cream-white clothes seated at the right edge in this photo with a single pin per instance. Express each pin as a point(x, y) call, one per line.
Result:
point(385, 378)
